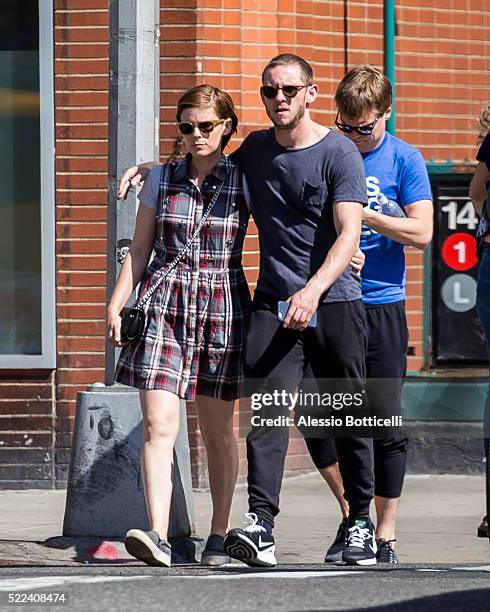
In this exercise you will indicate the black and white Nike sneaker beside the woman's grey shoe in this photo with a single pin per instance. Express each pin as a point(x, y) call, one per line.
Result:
point(252, 545)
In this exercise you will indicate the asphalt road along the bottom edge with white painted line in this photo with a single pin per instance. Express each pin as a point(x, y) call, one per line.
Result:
point(290, 587)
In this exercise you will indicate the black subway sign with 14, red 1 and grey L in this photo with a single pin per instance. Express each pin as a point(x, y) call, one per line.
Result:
point(457, 336)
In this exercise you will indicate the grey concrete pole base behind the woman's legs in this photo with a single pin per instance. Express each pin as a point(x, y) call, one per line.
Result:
point(105, 494)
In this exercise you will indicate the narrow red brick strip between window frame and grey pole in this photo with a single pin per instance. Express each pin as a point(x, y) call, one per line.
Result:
point(81, 97)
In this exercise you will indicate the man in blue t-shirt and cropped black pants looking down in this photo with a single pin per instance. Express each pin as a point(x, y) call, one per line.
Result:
point(399, 213)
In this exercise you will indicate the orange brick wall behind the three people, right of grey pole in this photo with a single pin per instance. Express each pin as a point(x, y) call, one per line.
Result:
point(441, 56)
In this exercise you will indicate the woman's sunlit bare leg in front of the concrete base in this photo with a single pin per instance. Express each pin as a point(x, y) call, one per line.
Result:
point(160, 427)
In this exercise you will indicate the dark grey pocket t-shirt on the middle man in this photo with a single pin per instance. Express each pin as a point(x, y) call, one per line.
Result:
point(292, 196)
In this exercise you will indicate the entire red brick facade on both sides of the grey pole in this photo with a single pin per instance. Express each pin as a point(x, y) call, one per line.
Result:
point(442, 67)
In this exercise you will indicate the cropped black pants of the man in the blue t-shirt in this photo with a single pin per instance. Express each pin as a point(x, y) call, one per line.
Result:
point(386, 359)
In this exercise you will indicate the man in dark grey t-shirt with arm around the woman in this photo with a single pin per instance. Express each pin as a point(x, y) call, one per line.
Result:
point(307, 190)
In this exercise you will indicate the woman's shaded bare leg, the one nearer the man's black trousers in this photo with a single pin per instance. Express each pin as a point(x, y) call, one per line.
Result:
point(216, 424)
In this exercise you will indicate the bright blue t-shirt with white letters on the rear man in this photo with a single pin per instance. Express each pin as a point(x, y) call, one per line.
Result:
point(397, 171)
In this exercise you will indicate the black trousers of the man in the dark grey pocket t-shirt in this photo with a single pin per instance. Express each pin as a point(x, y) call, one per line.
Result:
point(335, 349)
